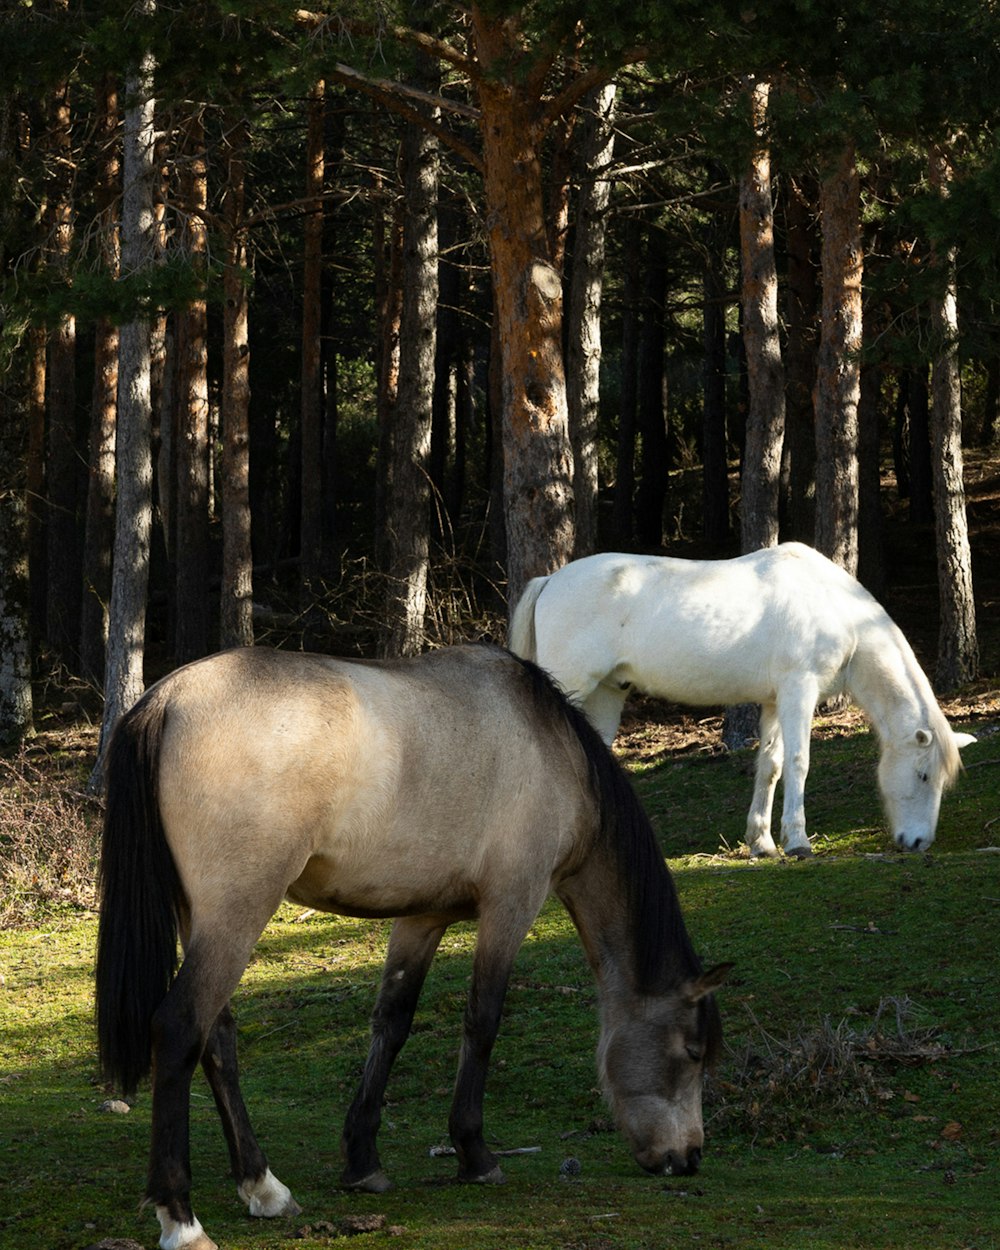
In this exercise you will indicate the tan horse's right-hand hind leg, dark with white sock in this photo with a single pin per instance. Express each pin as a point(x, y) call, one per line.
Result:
point(258, 1187)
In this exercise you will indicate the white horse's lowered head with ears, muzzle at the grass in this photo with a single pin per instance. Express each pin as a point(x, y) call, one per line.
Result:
point(913, 774)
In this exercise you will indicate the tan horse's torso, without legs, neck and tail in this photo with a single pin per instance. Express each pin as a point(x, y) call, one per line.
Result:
point(361, 788)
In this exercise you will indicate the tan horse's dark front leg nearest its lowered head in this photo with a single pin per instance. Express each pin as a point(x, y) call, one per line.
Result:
point(497, 949)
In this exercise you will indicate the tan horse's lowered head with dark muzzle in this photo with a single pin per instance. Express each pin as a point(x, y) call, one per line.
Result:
point(652, 1059)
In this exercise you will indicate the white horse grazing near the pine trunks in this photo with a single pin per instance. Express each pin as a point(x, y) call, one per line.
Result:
point(783, 628)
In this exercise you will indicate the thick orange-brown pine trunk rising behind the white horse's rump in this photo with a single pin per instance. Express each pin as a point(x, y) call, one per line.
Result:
point(538, 457)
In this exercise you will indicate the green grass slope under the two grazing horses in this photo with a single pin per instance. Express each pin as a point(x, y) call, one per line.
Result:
point(824, 1129)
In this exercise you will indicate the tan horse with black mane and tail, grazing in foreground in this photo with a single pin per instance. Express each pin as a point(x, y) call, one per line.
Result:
point(457, 786)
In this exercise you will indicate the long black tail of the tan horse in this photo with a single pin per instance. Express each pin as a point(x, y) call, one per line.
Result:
point(141, 896)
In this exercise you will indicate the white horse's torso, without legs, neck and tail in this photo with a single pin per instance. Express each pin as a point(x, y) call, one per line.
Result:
point(699, 632)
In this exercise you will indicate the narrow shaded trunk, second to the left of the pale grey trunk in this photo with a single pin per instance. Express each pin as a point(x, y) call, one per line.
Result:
point(63, 529)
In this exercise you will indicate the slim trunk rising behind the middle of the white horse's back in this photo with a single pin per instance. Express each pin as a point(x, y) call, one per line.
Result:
point(766, 419)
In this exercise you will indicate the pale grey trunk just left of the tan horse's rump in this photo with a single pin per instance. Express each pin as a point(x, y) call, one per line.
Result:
point(123, 682)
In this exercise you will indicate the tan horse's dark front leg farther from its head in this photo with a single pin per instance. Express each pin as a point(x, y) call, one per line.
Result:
point(412, 948)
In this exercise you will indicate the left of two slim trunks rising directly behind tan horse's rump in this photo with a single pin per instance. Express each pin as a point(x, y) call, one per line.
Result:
point(192, 532)
